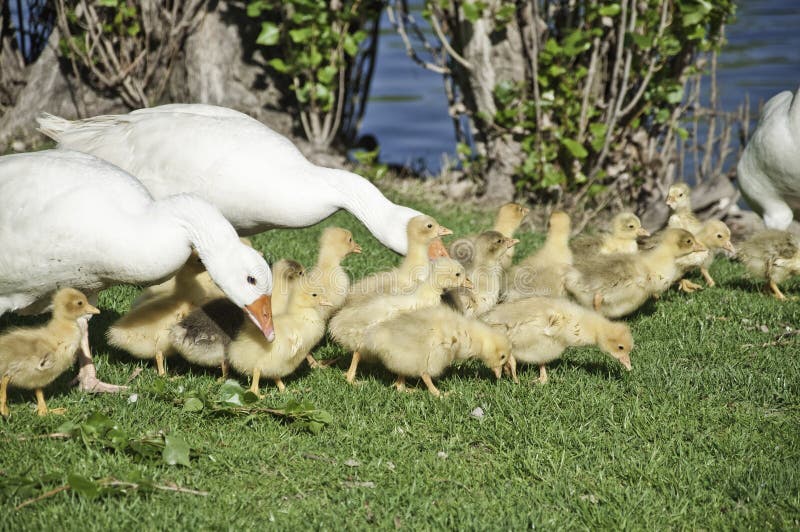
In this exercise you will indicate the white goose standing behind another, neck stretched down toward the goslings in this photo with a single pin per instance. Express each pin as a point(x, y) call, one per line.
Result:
point(255, 176)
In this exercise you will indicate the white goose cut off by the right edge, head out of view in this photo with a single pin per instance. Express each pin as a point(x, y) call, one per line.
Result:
point(769, 170)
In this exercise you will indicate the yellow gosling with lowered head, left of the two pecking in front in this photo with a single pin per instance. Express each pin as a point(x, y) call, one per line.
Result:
point(423, 343)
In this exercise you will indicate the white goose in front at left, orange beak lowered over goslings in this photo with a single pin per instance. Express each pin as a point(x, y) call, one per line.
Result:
point(71, 219)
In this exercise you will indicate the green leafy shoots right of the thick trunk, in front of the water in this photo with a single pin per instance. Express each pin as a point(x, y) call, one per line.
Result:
point(568, 150)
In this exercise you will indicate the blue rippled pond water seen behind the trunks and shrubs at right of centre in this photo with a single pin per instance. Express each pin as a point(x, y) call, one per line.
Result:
point(407, 110)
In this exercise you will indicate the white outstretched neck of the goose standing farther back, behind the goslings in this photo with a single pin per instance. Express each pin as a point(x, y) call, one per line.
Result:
point(384, 219)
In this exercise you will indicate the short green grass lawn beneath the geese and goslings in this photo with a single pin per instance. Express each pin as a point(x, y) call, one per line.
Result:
point(703, 433)
